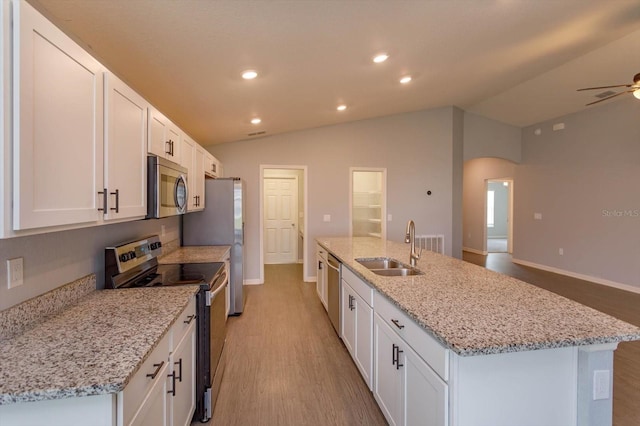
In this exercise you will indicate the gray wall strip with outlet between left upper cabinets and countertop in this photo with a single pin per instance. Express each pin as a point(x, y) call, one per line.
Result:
point(54, 259)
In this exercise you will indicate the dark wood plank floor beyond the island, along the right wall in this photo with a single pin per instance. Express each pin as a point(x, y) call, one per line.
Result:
point(618, 303)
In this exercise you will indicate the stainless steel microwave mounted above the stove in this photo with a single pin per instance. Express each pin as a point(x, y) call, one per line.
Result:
point(166, 188)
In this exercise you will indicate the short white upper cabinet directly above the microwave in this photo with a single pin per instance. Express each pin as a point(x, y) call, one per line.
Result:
point(165, 138)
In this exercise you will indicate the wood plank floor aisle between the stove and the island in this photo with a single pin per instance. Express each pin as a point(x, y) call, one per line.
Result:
point(285, 363)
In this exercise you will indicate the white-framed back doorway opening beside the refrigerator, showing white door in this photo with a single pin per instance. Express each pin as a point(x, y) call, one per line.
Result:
point(283, 206)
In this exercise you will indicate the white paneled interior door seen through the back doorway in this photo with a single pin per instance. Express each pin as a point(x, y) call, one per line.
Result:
point(281, 220)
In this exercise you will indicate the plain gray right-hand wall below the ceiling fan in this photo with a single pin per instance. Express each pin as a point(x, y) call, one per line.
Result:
point(584, 182)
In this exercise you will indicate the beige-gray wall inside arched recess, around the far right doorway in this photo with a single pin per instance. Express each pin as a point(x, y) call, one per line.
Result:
point(476, 173)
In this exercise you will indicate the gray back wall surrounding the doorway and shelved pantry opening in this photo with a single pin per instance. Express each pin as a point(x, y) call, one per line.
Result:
point(416, 148)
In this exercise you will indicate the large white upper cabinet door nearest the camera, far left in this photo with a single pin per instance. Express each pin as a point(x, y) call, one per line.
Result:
point(58, 126)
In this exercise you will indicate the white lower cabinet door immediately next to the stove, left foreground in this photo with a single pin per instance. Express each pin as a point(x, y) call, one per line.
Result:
point(183, 403)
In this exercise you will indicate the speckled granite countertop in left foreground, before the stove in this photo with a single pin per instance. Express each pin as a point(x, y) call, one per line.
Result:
point(93, 347)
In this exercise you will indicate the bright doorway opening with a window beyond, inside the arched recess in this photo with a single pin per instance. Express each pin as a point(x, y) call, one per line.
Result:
point(499, 213)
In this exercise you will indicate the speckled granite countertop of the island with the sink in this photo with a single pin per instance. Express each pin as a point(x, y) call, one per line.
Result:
point(474, 311)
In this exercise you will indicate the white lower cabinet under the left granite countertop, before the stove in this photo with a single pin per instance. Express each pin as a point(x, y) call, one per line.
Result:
point(147, 400)
